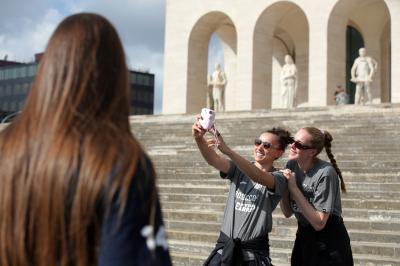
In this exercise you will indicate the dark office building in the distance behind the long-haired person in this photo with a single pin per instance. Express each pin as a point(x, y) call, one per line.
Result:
point(16, 80)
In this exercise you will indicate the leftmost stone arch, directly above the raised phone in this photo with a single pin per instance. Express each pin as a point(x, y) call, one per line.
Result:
point(222, 26)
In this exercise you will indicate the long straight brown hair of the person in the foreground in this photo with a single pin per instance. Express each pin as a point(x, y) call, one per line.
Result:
point(57, 158)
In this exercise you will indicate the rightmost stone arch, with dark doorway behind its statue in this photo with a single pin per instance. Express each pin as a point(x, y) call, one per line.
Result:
point(371, 20)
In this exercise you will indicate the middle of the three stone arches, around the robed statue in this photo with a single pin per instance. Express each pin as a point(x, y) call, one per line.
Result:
point(281, 29)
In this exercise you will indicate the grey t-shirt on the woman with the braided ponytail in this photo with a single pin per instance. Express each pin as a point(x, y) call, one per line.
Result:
point(320, 186)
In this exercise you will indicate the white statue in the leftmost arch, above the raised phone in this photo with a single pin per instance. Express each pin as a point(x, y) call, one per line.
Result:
point(218, 81)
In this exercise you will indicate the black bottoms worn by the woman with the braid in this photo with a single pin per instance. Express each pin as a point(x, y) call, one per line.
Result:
point(330, 246)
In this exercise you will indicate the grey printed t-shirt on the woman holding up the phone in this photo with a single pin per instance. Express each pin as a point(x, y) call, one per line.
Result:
point(248, 211)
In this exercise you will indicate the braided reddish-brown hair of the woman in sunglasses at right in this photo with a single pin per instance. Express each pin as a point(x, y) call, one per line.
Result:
point(323, 139)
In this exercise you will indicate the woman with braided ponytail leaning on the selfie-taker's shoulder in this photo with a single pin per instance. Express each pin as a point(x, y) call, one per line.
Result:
point(314, 197)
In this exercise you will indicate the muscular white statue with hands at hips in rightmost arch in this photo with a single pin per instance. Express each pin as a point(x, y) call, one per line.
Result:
point(362, 71)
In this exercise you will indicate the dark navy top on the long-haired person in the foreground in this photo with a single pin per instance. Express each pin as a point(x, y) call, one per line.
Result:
point(129, 239)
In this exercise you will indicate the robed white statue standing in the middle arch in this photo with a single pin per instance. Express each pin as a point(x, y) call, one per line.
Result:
point(289, 83)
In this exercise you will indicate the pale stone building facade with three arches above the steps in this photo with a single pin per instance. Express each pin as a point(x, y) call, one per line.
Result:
point(323, 37)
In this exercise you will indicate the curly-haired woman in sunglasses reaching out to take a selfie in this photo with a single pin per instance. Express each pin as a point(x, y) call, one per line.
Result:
point(247, 218)
